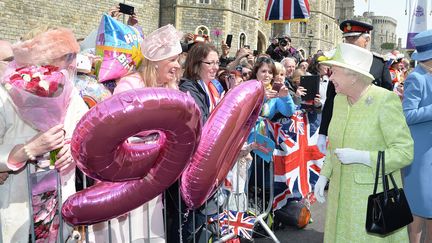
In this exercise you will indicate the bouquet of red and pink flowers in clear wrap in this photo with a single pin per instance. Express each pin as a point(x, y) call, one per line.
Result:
point(40, 94)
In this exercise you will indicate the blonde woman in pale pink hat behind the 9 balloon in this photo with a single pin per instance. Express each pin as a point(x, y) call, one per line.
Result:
point(159, 68)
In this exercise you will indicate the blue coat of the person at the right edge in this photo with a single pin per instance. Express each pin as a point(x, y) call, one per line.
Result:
point(417, 106)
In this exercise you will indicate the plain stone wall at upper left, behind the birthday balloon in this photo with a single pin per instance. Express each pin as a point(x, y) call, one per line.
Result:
point(18, 16)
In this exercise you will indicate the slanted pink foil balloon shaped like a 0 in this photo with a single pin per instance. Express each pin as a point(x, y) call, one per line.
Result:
point(222, 138)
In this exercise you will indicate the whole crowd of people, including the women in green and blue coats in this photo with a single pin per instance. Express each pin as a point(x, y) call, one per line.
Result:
point(364, 103)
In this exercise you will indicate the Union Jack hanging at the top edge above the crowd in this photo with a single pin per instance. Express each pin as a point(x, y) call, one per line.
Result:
point(279, 11)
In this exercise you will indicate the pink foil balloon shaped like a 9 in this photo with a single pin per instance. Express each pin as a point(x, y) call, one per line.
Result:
point(143, 171)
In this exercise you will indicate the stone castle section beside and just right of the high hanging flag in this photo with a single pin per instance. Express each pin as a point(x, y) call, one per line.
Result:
point(321, 32)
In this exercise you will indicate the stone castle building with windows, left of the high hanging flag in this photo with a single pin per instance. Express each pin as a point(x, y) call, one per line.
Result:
point(243, 19)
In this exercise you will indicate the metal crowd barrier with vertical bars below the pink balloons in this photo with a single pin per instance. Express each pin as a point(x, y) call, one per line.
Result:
point(260, 206)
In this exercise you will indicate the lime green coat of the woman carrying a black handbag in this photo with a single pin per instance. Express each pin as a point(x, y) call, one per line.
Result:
point(375, 122)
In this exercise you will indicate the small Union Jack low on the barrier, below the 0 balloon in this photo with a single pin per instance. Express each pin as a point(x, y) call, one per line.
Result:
point(240, 223)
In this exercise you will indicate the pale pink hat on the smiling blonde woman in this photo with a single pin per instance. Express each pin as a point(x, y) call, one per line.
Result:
point(162, 43)
